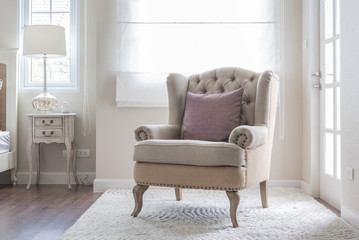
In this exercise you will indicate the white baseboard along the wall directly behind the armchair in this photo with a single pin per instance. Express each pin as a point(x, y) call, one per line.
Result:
point(103, 184)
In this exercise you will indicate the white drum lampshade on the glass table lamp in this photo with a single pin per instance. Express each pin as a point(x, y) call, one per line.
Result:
point(44, 39)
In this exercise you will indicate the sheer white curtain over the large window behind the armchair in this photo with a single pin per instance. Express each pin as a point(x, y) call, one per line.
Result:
point(157, 37)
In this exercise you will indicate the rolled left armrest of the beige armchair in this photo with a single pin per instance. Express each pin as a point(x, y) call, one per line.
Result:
point(164, 131)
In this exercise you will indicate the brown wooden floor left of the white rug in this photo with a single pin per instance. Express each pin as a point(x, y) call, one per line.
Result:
point(44, 212)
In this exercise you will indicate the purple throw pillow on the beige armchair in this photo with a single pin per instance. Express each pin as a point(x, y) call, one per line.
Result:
point(212, 117)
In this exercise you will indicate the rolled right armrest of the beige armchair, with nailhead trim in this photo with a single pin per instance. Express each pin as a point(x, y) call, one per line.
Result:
point(249, 136)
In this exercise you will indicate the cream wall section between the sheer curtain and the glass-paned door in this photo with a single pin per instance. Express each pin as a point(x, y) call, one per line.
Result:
point(287, 153)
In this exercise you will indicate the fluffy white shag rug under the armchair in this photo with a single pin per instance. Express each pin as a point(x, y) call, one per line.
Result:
point(204, 214)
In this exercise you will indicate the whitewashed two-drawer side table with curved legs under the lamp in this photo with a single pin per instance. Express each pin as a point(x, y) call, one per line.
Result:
point(51, 128)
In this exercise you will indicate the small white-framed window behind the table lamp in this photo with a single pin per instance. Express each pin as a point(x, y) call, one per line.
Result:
point(61, 72)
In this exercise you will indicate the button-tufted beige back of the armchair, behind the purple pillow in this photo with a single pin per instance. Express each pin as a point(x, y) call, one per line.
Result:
point(254, 110)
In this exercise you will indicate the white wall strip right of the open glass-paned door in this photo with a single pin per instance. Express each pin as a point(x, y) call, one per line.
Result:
point(349, 109)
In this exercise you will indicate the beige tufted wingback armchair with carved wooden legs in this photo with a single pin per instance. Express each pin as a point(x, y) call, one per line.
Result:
point(164, 158)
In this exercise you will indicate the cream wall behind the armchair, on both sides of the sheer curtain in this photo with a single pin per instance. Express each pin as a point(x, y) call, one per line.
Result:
point(115, 137)
